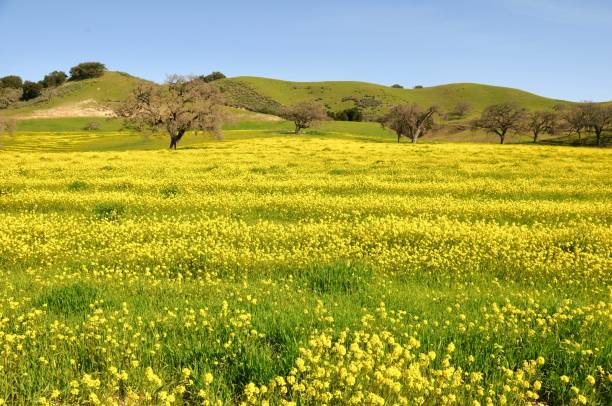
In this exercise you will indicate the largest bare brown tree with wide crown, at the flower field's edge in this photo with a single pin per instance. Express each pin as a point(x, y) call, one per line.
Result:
point(180, 105)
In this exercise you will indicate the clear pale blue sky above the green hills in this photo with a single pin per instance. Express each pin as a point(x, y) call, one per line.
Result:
point(556, 48)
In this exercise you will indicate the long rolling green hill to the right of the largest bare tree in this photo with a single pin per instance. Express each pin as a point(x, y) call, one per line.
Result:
point(268, 95)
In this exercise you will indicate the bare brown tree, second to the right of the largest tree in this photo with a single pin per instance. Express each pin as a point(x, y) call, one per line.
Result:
point(409, 120)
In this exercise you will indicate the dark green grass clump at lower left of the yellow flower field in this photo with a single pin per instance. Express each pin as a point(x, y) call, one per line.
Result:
point(70, 299)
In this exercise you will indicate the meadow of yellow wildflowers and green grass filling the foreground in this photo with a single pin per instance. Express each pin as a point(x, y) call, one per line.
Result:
point(304, 270)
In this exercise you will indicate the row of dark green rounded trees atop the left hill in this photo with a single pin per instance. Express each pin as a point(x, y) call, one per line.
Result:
point(13, 88)
